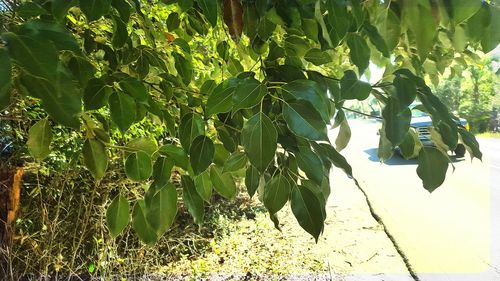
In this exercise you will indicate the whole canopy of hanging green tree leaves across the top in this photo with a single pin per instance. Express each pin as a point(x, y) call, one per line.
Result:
point(220, 76)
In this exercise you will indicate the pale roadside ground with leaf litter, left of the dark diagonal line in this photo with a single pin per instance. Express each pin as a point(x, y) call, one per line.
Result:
point(353, 246)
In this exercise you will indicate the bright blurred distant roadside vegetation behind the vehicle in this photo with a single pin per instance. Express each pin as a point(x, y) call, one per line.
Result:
point(470, 92)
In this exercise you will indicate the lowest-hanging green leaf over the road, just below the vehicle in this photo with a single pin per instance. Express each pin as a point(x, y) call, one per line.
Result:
point(432, 167)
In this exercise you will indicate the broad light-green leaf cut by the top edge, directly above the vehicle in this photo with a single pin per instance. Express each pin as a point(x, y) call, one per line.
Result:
point(421, 21)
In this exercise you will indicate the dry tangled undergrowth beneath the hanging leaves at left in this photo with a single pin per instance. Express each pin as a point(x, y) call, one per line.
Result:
point(60, 229)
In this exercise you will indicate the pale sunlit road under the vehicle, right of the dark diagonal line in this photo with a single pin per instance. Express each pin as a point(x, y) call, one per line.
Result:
point(450, 234)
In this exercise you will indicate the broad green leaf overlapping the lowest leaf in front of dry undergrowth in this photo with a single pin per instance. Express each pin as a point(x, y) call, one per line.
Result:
point(162, 209)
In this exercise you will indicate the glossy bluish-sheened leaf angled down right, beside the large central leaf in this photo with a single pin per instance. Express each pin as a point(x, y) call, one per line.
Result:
point(304, 121)
